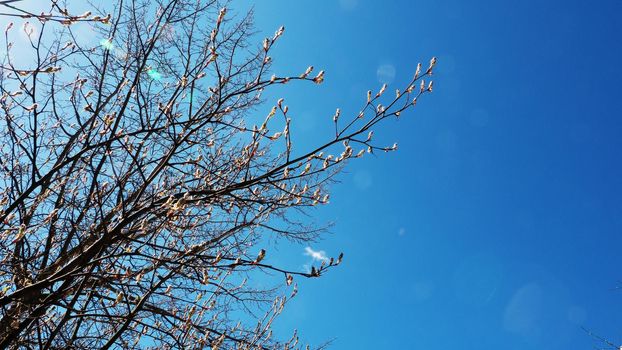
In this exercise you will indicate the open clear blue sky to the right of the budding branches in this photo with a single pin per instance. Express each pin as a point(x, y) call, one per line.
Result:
point(497, 224)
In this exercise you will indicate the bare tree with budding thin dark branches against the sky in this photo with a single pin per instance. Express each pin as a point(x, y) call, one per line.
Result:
point(138, 179)
